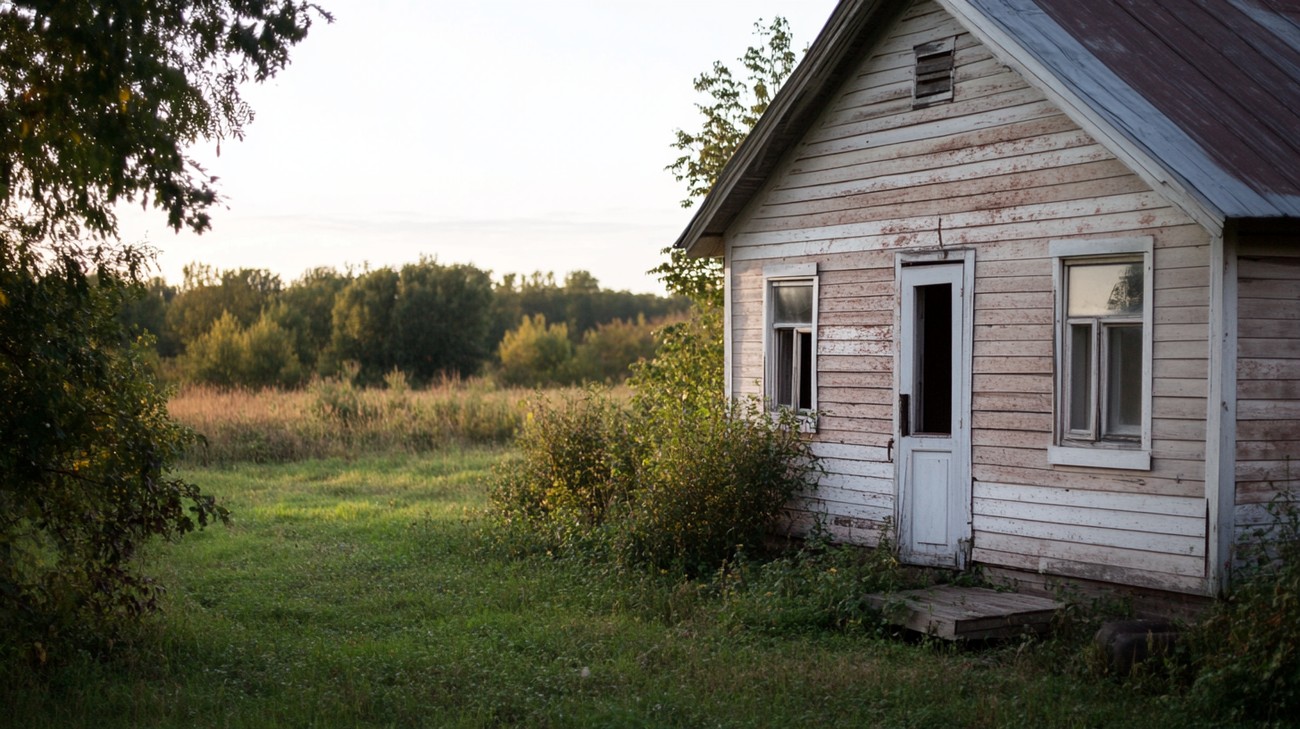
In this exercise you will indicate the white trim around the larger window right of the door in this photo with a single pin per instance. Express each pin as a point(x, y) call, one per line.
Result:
point(1102, 455)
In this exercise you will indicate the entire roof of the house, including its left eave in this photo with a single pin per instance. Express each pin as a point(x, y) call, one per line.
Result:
point(1208, 90)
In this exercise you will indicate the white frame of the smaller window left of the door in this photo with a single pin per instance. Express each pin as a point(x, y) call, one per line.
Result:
point(774, 277)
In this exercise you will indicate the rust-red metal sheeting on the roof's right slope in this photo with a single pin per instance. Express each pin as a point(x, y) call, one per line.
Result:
point(1225, 72)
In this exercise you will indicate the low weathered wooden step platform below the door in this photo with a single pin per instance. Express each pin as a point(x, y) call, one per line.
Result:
point(965, 614)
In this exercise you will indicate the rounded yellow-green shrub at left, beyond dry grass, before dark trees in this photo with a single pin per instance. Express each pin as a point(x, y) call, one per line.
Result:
point(232, 355)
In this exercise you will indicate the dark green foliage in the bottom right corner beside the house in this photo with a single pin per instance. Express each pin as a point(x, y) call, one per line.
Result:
point(1246, 654)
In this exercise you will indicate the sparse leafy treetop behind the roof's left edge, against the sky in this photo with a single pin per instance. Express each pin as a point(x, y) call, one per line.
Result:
point(734, 110)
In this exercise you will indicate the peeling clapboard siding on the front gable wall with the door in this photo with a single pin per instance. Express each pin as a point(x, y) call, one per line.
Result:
point(1002, 171)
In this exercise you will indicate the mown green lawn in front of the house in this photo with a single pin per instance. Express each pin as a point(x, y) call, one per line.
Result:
point(365, 595)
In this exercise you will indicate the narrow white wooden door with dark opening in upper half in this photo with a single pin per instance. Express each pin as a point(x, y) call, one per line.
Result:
point(934, 416)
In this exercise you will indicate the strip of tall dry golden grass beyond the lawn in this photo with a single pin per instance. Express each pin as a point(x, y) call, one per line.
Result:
point(335, 419)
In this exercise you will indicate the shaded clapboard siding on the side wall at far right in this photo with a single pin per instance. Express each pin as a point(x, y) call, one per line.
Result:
point(1268, 393)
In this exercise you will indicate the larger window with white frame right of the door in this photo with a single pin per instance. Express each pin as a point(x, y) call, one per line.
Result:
point(1103, 353)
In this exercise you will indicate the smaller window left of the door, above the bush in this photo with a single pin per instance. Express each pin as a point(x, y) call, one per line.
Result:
point(791, 302)
